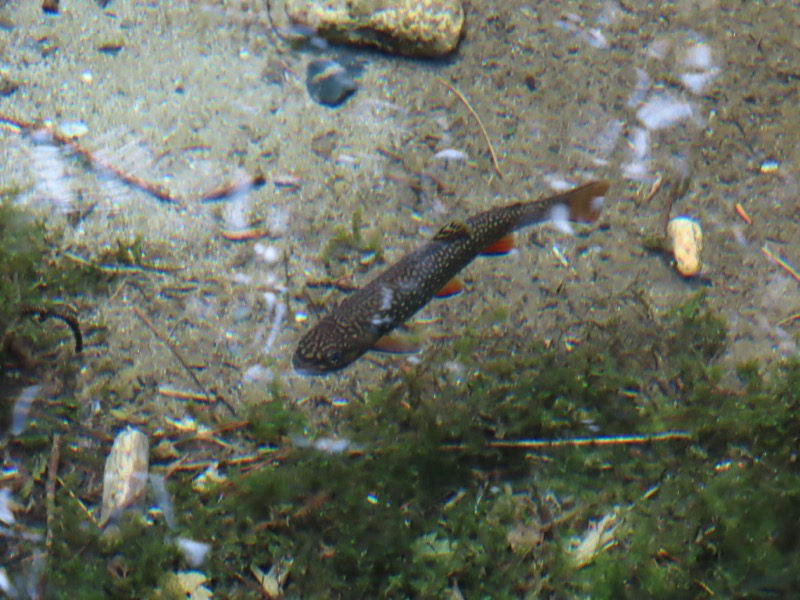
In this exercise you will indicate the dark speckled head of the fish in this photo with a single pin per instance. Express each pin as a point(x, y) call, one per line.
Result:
point(325, 349)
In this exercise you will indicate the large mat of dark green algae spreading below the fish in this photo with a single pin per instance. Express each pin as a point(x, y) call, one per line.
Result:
point(421, 503)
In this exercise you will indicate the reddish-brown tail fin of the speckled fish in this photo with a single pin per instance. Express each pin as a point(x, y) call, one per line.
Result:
point(580, 205)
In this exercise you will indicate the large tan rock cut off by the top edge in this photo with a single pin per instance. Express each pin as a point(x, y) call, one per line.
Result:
point(410, 27)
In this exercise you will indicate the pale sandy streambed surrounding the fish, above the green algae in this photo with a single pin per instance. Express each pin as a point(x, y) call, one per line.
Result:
point(193, 97)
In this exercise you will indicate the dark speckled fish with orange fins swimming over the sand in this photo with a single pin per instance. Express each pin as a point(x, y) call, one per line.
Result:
point(363, 320)
